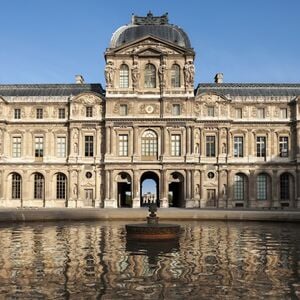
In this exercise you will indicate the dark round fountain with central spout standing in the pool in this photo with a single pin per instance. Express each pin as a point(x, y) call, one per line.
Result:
point(152, 230)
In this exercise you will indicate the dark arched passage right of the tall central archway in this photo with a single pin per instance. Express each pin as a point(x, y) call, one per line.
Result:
point(176, 190)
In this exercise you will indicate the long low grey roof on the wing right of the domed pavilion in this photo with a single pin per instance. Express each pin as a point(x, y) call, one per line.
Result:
point(250, 89)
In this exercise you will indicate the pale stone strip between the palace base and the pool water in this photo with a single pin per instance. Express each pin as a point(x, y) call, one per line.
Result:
point(137, 214)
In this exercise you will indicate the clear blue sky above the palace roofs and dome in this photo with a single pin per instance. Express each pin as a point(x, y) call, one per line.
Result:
point(51, 41)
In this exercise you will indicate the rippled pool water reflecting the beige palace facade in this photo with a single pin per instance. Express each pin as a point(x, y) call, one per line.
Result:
point(93, 260)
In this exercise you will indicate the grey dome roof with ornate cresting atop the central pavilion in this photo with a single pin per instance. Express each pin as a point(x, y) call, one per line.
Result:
point(150, 25)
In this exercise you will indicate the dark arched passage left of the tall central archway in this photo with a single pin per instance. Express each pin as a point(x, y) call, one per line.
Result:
point(124, 190)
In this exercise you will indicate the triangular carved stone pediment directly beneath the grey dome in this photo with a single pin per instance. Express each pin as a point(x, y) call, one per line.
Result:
point(149, 43)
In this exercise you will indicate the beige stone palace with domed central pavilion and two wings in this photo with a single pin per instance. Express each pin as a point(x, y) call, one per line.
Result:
point(207, 145)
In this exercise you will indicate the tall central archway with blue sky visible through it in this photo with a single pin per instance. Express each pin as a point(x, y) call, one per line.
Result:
point(149, 188)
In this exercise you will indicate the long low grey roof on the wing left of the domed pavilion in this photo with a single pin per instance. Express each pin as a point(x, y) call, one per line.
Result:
point(49, 89)
